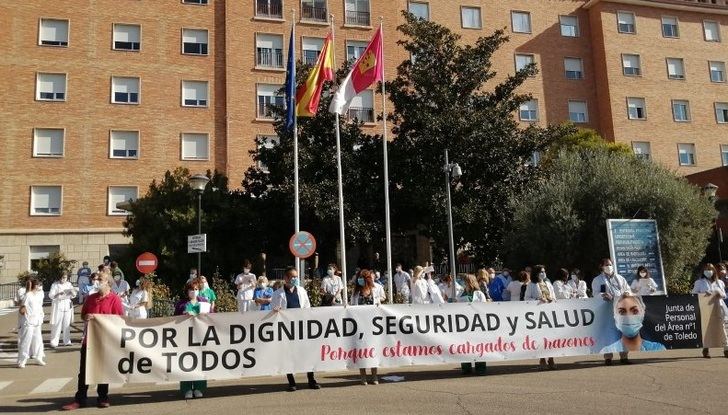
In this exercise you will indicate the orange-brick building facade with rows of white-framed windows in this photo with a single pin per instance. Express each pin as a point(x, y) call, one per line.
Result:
point(106, 95)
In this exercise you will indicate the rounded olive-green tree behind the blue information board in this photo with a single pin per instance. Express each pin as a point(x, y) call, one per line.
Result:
point(562, 220)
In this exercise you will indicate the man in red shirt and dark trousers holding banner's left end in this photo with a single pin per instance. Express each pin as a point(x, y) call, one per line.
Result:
point(102, 302)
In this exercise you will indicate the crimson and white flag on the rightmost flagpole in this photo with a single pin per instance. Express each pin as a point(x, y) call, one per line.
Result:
point(367, 70)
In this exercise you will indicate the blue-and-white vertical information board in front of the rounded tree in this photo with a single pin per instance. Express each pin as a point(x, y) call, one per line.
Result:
point(634, 243)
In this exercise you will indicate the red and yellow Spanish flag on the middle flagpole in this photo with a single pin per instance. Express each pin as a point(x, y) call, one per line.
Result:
point(309, 93)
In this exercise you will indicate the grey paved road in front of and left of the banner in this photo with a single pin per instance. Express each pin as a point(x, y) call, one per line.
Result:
point(674, 382)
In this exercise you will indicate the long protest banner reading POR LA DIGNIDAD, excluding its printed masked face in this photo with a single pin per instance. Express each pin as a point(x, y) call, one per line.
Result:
point(233, 345)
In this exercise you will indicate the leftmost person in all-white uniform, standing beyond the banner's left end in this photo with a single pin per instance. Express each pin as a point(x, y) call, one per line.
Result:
point(30, 338)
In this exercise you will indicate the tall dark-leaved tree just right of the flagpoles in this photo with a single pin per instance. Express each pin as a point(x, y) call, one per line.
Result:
point(444, 98)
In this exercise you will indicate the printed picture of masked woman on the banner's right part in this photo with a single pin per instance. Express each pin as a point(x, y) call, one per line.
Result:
point(629, 314)
